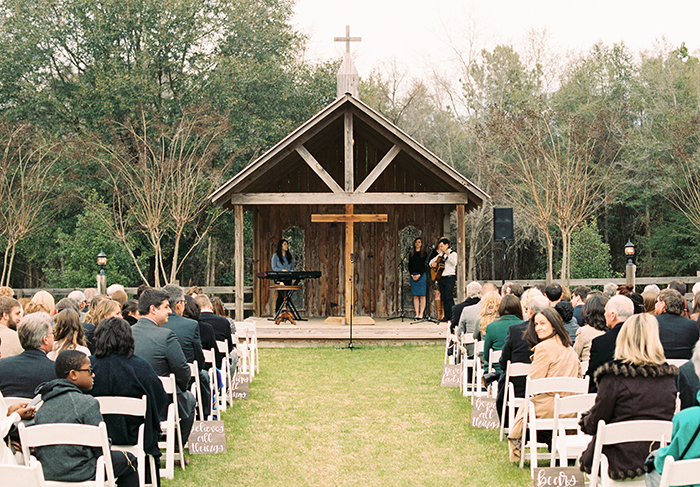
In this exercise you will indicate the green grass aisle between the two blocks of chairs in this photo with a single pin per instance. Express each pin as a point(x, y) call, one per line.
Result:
point(373, 416)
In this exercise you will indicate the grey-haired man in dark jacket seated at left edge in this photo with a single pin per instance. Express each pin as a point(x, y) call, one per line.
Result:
point(22, 374)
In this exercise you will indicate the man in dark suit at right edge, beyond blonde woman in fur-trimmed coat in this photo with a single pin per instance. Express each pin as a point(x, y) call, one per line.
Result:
point(678, 334)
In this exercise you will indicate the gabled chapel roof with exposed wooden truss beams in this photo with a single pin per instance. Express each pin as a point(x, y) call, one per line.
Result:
point(308, 166)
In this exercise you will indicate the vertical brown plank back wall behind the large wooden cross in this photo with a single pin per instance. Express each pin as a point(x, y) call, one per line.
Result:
point(376, 254)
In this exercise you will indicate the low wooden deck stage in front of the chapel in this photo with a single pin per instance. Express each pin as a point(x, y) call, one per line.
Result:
point(316, 333)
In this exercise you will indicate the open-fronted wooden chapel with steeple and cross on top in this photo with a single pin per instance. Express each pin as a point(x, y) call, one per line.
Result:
point(349, 180)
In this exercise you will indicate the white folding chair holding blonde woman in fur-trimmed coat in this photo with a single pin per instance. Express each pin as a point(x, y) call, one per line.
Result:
point(624, 432)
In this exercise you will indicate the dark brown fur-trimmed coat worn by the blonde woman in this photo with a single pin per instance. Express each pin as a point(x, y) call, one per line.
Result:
point(628, 392)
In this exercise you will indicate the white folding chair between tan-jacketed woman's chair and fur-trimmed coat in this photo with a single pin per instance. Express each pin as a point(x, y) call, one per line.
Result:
point(569, 446)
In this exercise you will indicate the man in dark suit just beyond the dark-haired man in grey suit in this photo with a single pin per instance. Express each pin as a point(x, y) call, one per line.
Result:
point(187, 332)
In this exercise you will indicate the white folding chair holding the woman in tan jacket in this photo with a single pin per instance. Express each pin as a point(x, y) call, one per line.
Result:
point(533, 424)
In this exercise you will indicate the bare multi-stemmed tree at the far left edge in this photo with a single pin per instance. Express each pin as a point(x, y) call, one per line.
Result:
point(27, 177)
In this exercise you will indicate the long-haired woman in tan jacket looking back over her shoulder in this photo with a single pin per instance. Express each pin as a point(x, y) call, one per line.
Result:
point(552, 357)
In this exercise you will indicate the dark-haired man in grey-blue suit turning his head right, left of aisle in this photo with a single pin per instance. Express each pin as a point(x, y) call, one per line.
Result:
point(160, 348)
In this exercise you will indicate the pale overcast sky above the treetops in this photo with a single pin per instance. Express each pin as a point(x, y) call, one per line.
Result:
point(417, 32)
